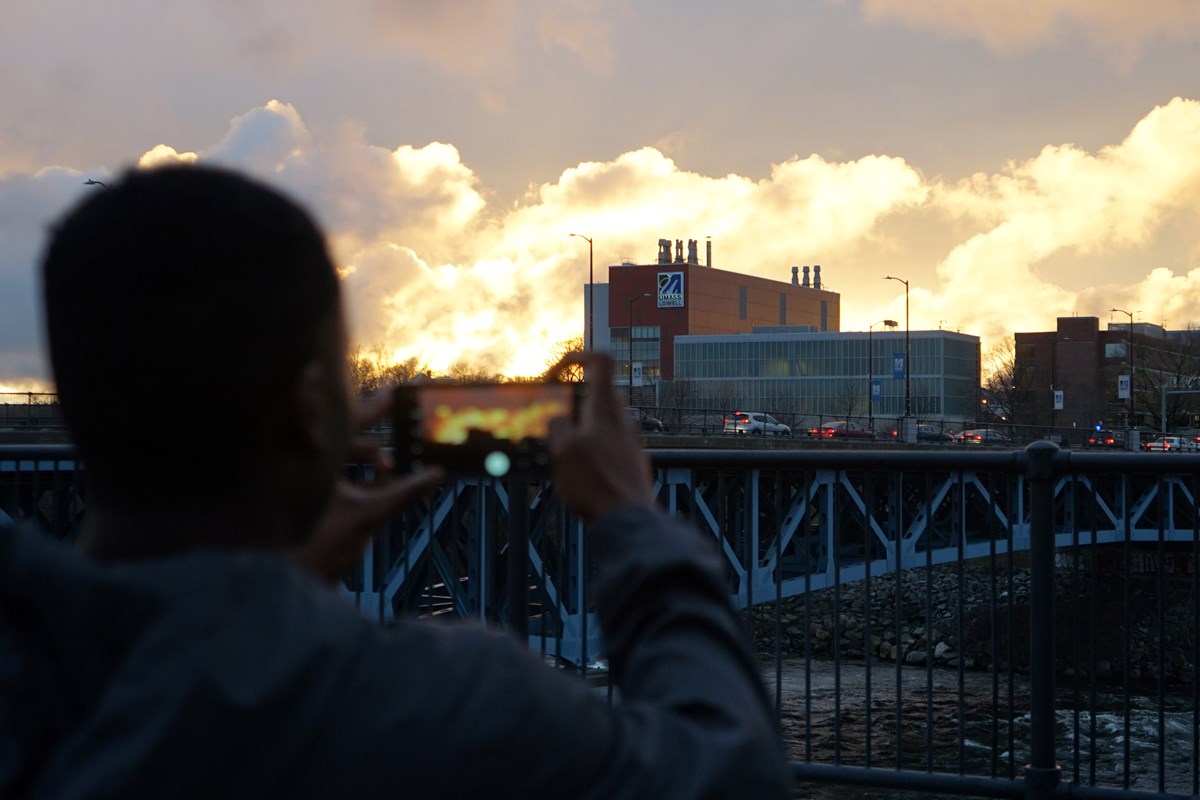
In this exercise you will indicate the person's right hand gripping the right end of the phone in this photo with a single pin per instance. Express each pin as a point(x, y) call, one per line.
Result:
point(599, 462)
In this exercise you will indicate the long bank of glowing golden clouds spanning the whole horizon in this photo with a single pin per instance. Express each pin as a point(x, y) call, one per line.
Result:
point(435, 268)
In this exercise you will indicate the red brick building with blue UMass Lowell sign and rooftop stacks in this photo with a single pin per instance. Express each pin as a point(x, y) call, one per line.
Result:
point(651, 305)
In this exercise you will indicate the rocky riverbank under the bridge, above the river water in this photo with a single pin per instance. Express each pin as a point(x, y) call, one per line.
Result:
point(1107, 629)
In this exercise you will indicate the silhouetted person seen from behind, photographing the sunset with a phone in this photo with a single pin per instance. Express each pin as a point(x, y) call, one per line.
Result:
point(195, 649)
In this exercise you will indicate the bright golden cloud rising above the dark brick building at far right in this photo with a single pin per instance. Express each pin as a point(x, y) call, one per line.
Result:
point(1067, 202)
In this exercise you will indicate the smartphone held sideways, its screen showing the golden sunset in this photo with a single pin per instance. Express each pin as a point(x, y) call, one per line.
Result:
point(481, 429)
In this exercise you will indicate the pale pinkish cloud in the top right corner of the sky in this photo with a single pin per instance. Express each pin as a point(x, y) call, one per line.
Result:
point(1120, 29)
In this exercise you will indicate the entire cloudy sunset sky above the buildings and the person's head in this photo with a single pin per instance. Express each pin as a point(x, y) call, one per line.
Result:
point(1016, 163)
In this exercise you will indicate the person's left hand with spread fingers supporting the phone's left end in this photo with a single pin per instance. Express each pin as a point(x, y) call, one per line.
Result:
point(357, 512)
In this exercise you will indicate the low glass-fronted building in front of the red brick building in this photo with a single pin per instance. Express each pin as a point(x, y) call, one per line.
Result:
point(831, 374)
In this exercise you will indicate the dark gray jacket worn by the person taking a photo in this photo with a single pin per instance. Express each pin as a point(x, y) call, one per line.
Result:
point(219, 675)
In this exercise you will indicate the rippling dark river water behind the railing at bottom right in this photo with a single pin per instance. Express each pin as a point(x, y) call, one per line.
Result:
point(977, 724)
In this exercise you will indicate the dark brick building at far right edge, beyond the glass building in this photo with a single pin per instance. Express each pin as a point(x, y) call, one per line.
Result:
point(1079, 377)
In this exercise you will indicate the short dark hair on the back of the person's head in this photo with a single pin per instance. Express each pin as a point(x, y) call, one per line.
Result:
point(179, 305)
